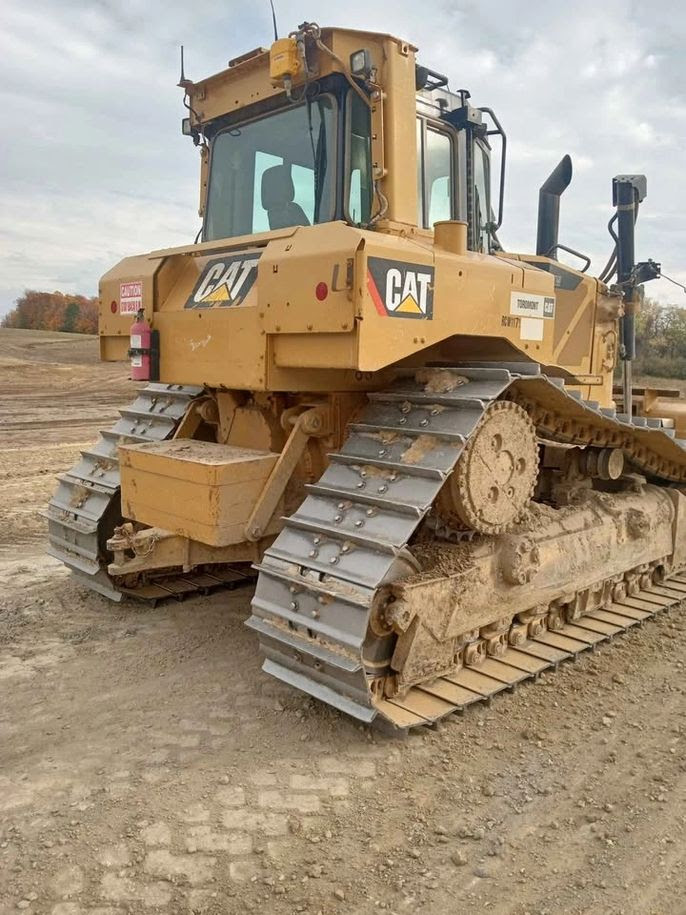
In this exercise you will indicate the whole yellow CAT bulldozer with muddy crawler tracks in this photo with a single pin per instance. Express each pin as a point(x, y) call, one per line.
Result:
point(406, 438)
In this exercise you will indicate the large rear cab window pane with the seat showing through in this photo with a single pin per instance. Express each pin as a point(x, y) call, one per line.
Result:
point(273, 173)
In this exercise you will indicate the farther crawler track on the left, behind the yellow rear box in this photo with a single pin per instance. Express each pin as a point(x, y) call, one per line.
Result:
point(86, 505)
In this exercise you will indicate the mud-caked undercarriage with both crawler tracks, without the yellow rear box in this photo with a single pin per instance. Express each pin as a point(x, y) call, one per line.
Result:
point(476, 525)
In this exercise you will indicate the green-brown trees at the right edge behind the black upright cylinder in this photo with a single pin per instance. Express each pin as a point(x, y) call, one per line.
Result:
point(661, 340)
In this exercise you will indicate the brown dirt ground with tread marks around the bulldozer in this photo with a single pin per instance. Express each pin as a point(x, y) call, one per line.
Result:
point(147, 765)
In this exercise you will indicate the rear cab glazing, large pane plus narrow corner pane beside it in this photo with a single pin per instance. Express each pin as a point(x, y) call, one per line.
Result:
point(305, 162)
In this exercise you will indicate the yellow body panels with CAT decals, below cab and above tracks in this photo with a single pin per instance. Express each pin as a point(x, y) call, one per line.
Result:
point(332, 306)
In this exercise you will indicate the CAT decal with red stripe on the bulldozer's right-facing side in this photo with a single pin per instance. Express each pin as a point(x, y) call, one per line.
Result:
point(399, 289)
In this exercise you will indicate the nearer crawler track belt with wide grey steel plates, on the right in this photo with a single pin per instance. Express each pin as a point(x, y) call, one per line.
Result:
point(319, 580)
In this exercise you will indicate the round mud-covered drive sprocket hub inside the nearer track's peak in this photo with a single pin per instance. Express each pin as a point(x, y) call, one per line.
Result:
point(495, 476)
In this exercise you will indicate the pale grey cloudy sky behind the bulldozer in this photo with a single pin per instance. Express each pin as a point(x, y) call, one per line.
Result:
point(94, 165)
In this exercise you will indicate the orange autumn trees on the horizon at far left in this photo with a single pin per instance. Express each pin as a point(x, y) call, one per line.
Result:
point(74, 314)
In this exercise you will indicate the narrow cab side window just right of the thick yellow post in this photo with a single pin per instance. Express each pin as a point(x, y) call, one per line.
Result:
point(435, 175)
